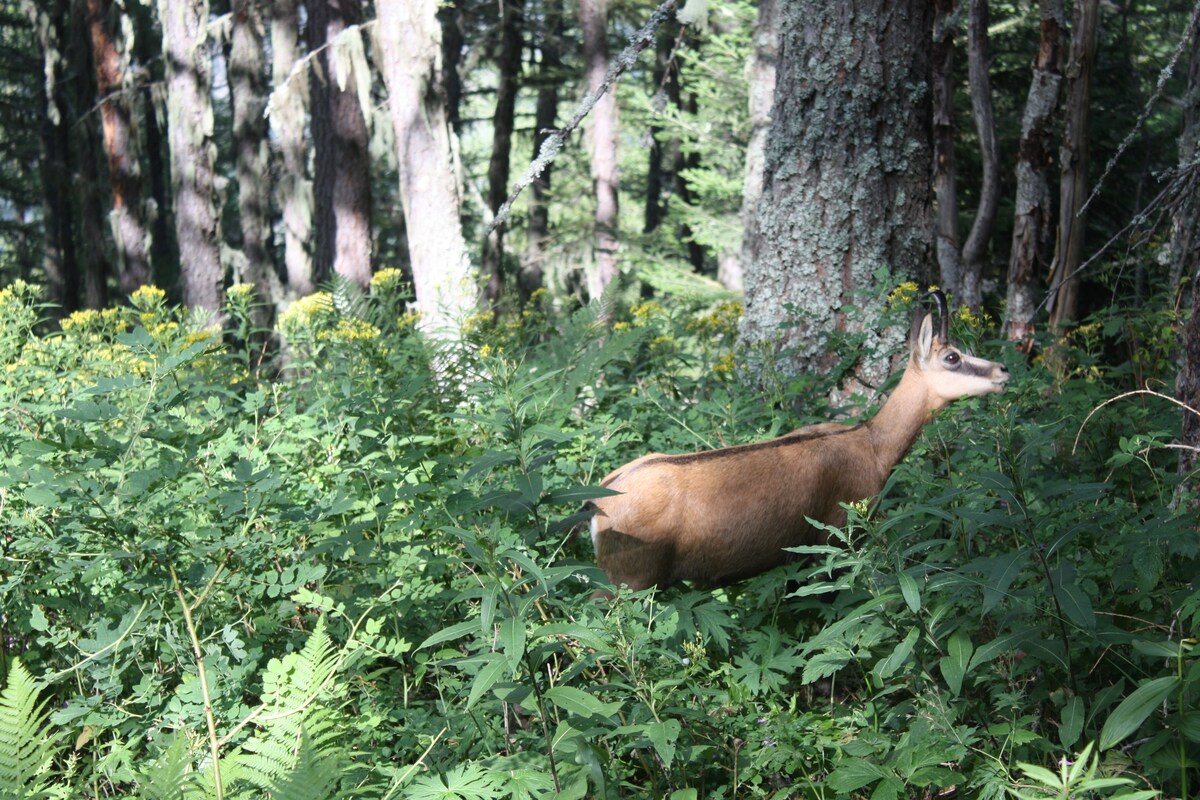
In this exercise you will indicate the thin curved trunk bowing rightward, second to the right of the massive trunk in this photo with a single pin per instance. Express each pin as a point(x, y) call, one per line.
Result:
point(976, 248)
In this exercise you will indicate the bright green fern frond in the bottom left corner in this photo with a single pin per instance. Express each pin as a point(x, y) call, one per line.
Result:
point(27, 751)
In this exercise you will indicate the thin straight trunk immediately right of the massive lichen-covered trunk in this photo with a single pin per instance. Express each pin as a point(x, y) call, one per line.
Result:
point(946, 189)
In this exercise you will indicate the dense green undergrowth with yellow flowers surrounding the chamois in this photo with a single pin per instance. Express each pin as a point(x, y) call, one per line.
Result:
point(365, 578)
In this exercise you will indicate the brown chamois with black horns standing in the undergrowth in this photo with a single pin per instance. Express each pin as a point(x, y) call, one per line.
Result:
point(719, 516)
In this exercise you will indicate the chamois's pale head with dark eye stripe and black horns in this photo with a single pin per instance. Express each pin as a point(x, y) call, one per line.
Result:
point(950, 374)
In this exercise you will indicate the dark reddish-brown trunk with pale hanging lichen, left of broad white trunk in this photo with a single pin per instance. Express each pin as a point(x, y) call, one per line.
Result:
point(340, 139)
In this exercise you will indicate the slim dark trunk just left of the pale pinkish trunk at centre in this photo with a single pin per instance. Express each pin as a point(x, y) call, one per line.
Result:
point(550, 71)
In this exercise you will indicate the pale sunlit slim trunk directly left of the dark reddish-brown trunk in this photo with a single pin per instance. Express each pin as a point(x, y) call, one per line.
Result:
point(293, 190)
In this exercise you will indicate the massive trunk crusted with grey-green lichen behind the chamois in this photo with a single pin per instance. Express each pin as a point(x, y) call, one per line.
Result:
point(847, 179)
